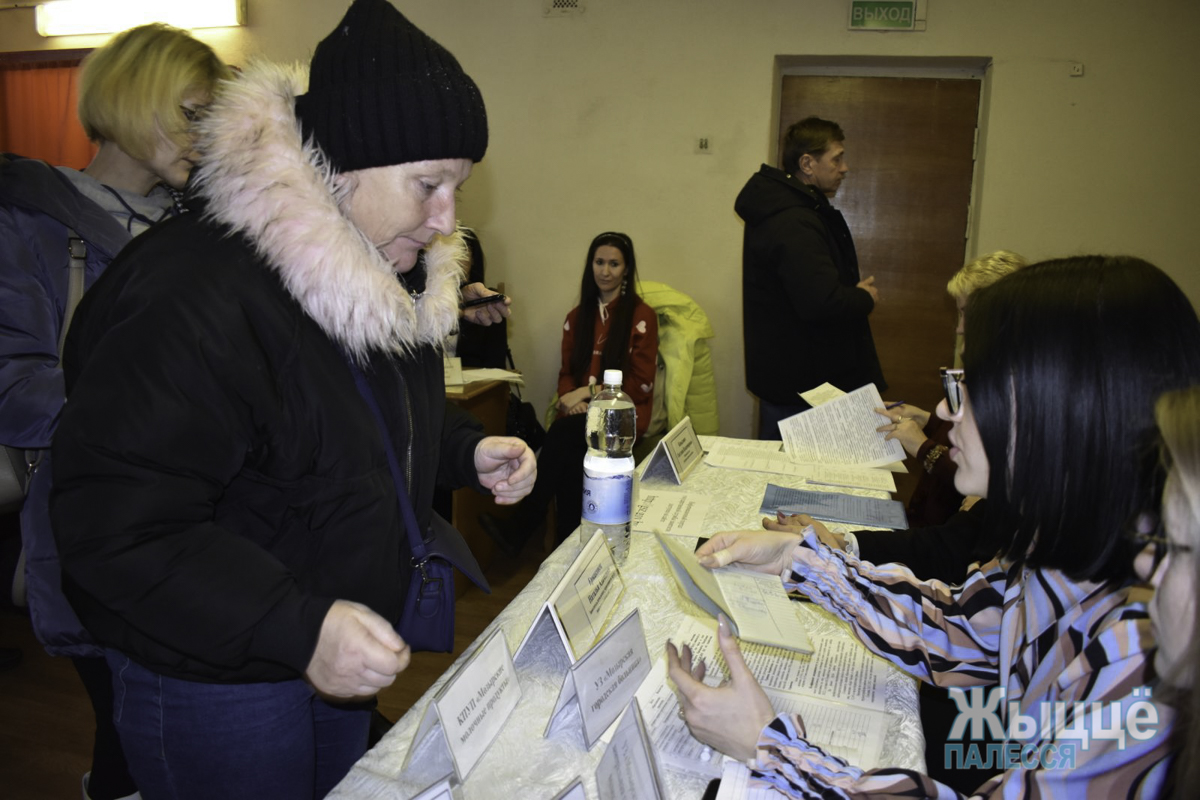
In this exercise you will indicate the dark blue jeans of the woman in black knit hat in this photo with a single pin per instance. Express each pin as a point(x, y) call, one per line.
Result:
point(185, 739)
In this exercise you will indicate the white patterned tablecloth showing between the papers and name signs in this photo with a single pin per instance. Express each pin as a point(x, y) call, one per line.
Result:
point(521, 762)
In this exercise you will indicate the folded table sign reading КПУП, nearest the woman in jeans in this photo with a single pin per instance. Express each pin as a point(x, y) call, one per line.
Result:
point(470, 712)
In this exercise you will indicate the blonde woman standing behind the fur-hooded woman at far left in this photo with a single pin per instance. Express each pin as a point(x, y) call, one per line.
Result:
point(139, 97)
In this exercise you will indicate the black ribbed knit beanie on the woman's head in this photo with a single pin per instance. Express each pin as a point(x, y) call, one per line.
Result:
point(382, 93)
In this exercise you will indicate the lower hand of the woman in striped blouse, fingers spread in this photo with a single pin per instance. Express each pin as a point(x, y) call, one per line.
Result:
point(727, 718)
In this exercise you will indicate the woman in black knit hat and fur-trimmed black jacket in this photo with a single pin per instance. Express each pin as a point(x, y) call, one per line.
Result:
point(230, 527)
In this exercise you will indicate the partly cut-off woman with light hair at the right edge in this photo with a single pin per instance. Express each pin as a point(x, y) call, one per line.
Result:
point(1173, 568)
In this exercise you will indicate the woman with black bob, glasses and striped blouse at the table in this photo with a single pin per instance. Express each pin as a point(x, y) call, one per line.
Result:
point(1053, 418)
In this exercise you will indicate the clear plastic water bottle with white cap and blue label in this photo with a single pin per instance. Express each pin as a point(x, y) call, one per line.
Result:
point(609, 466)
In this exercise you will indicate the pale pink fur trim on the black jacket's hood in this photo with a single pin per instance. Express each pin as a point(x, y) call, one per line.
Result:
point(262, 181)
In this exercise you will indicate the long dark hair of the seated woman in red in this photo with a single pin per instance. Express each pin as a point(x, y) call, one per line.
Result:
point(616, 350)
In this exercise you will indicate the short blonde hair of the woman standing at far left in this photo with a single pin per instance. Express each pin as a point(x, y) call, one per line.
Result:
point(130, 89)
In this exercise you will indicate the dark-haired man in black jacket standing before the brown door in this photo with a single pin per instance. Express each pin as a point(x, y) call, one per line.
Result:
point(805, 305)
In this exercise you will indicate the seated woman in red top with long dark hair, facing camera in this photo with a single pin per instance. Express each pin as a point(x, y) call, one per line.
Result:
point(611, 329)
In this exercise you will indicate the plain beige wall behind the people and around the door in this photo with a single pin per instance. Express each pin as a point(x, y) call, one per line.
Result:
point(593, 121)
